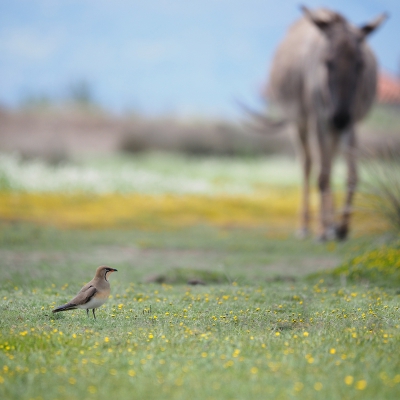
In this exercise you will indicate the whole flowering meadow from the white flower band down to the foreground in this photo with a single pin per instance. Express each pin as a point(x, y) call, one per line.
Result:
point(273, 317)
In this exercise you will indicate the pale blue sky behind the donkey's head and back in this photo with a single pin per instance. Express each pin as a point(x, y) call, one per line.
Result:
point(181, 57)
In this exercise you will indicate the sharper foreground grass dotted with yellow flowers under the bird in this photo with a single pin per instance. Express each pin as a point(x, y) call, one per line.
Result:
point(212, 342)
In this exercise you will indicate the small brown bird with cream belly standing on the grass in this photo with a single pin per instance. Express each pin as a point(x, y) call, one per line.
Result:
point(93, 295)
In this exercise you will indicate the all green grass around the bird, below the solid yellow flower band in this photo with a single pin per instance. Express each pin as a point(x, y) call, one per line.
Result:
point(262, 331)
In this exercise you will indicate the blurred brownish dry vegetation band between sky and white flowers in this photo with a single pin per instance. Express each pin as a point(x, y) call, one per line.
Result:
point(57, 133)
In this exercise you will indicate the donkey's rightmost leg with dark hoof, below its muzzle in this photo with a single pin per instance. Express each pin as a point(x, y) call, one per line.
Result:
point(352, 179)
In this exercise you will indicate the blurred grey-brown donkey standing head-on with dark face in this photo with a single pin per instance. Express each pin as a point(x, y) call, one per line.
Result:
point(323, 78)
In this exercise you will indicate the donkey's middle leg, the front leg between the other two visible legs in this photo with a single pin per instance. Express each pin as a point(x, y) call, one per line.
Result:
point(328, 143)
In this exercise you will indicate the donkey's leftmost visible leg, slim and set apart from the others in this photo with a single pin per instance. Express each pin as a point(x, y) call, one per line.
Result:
point(306, 169)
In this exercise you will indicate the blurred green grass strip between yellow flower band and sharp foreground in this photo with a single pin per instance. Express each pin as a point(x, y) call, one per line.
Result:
point(32, 254)
